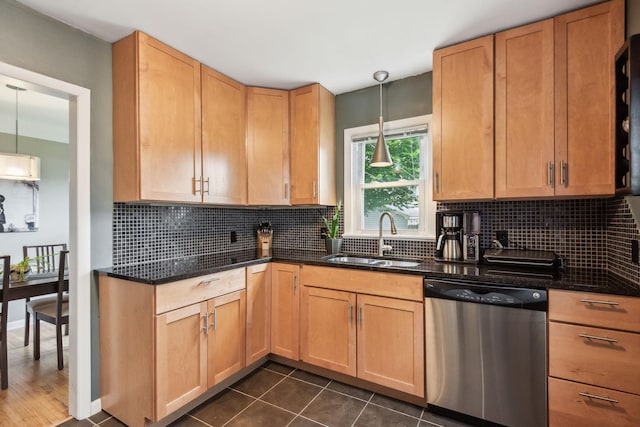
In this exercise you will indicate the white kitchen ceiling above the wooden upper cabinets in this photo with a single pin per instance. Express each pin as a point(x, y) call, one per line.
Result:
point(289, 43)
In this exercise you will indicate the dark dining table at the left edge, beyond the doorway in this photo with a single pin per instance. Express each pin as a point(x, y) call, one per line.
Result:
point(34, 285)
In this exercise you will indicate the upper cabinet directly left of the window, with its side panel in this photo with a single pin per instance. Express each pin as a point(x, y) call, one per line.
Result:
point(312, 118)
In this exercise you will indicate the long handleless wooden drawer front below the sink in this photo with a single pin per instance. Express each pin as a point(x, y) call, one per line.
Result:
point(402, 286)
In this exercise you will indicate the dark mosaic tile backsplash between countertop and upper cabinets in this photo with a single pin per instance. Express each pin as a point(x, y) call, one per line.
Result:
point(589, 233)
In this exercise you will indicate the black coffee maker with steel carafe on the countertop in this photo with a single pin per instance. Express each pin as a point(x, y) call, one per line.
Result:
point(458, 236)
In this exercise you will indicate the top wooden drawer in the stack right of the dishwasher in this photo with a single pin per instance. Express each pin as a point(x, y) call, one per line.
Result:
point(607, 311)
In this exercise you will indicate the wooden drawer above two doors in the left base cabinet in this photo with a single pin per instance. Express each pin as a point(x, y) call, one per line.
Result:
point(190, 291)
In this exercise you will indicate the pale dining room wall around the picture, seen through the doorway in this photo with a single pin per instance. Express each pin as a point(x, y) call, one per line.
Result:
point(54, 202)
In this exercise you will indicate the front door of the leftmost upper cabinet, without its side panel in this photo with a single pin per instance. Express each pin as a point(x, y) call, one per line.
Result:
point(169, 123)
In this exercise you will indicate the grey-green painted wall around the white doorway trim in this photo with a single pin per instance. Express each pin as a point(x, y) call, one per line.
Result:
point(34, 42)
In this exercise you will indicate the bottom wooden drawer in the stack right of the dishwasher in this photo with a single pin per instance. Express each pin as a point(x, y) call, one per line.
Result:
point(594, 407)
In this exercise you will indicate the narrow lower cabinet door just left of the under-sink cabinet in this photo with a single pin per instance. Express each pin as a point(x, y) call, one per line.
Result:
point(285, 301)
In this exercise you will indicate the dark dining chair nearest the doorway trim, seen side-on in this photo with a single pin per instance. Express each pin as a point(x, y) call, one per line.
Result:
point(55, 312)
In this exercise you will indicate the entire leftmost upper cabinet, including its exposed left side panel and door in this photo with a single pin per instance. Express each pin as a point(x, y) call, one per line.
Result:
point(156, 122)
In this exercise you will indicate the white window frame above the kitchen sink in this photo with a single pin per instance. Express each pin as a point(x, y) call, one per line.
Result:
point(352, 202)
